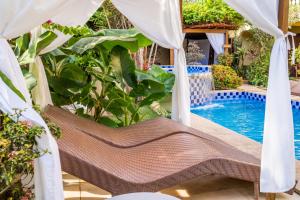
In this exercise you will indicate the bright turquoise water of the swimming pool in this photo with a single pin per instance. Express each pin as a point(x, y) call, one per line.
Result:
point(245, 117)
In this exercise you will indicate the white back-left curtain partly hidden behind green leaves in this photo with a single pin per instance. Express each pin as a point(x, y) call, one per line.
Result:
point(79, 14)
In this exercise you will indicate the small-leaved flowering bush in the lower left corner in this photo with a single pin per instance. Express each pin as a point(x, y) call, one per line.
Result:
point(17, 152)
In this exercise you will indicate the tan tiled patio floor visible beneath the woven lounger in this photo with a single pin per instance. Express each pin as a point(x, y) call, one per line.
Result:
point(208, 188)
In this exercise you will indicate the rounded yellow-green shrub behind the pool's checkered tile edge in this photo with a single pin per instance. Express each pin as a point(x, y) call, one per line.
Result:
point(225, 77)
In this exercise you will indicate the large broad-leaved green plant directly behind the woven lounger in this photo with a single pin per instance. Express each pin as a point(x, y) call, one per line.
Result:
point(97, 72)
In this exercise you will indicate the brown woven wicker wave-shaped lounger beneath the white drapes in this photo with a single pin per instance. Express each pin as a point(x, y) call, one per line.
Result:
point(150, 156)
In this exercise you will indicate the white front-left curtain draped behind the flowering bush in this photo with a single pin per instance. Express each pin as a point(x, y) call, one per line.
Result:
point(16, 18)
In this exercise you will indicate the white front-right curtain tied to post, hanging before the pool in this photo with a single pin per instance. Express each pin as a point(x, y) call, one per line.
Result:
point(278, 154)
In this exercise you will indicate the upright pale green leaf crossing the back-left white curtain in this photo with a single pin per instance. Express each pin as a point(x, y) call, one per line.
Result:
point(34, 49)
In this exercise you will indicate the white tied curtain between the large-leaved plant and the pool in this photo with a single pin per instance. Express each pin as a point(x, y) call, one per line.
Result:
point(160, 21)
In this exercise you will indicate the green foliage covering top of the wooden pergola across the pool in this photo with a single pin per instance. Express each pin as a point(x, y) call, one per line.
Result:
point(209, 11)
